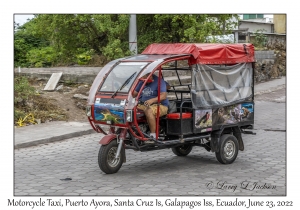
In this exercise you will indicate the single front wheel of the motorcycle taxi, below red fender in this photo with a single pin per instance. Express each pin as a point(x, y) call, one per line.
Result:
point(106, 158)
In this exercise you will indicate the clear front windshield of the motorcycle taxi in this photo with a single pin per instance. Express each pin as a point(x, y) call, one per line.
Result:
point(118, 76)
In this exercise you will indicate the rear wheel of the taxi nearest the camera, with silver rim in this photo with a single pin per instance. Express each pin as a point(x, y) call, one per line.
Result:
point(229, 147)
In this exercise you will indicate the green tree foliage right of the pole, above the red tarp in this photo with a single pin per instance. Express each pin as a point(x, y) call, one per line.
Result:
point(185, 28)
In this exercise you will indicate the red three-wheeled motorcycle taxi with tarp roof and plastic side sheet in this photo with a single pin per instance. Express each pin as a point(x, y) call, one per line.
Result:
point(211, 101)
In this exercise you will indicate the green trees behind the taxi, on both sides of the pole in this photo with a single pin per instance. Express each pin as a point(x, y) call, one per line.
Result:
point(53, 39)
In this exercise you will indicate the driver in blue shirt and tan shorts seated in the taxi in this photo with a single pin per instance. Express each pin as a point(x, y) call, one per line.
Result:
point(149, 98)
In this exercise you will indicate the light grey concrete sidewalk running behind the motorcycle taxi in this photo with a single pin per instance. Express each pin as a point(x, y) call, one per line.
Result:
point(56, 131)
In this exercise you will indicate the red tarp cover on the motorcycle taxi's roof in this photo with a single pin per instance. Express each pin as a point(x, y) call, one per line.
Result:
point(207, 53)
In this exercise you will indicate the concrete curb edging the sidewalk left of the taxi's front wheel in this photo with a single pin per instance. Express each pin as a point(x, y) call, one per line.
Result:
point(53, 139)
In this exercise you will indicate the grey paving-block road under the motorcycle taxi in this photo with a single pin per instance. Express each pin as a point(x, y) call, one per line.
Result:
point(259, 170)
